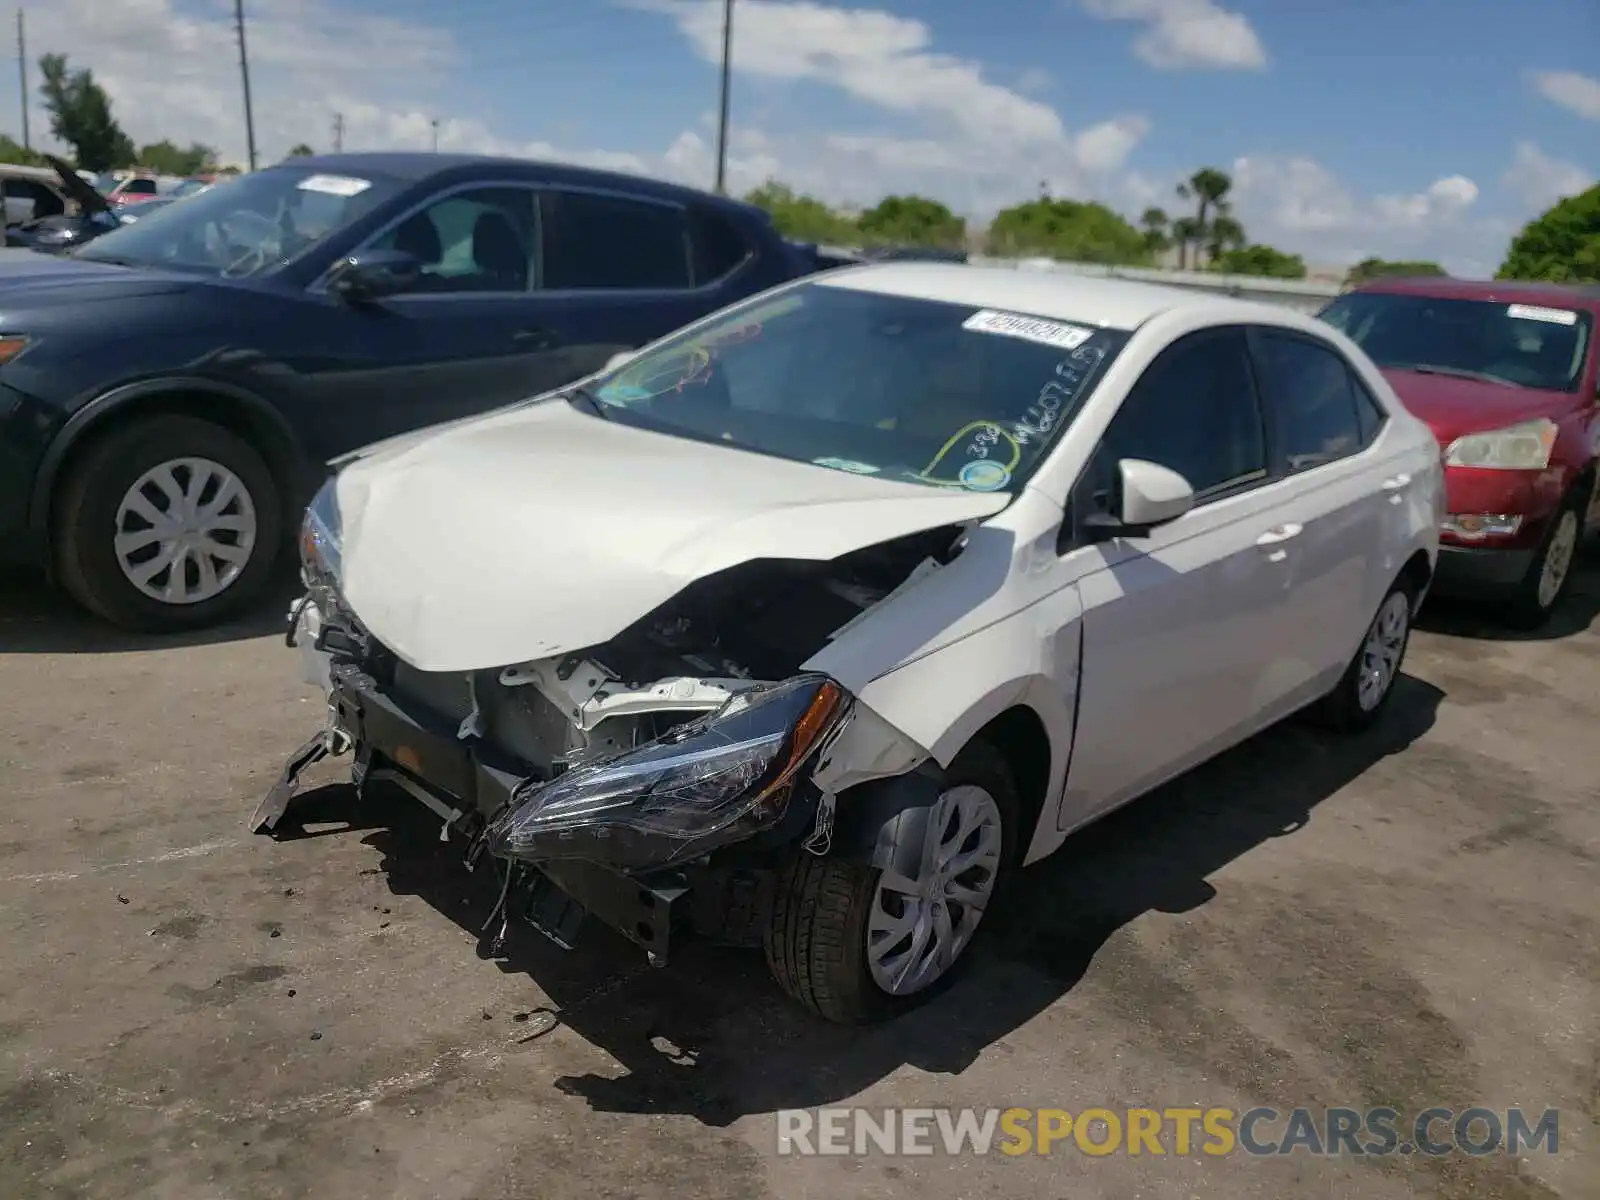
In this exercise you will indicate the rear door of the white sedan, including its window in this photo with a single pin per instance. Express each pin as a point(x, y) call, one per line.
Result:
point(1342, 484)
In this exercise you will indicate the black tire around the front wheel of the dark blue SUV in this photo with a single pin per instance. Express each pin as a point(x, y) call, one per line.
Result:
point(86, 521)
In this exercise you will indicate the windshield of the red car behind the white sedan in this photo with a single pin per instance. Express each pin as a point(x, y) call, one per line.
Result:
point(1519, 345)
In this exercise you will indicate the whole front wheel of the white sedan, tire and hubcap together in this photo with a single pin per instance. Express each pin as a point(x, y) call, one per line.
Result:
point(857, 943)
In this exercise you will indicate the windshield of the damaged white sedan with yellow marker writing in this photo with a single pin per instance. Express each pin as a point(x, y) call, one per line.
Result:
point(878, 385)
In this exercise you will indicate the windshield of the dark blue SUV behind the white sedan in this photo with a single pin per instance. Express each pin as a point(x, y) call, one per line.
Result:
point(246, 226)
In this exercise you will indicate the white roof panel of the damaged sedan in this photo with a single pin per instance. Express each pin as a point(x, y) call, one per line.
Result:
point(1110, 303)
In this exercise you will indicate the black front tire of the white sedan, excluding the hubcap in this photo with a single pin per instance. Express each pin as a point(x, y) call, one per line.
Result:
point(817, 940)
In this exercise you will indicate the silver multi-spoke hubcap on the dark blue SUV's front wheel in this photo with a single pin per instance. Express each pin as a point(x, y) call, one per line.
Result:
point(185, 532)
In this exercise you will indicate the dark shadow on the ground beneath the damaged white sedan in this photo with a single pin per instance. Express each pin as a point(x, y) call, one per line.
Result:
point(711, 1036)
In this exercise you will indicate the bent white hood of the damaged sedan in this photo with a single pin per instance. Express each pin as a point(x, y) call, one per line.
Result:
point(542, 530)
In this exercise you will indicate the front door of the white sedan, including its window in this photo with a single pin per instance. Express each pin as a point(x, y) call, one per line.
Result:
point(1180, 628)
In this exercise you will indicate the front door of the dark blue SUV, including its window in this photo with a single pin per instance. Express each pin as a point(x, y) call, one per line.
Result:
point(468, 337)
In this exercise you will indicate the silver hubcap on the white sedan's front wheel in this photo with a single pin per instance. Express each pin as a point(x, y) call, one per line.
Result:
point(921, 926)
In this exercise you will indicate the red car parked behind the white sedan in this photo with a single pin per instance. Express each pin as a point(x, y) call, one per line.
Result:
point(1508, 377)
